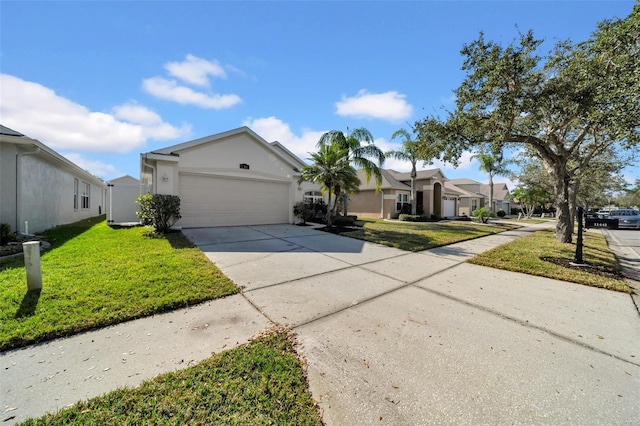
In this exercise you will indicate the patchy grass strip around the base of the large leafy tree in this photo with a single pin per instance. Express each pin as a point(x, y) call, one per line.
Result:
point(526, 255)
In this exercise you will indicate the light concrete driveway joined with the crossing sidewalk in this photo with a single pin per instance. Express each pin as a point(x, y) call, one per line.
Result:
point(390, 337)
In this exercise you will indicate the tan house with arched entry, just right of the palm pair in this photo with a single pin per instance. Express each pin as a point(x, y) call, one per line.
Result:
point(432, 197)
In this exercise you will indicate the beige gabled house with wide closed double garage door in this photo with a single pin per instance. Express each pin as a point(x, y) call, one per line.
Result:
point(230, 178)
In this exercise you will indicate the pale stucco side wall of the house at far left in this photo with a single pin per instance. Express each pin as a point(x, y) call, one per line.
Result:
point(46, 196)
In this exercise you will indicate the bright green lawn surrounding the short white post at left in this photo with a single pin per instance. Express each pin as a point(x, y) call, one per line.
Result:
point(95, 276)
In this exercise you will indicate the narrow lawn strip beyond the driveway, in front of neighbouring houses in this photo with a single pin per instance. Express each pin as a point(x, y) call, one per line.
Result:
point(418, 236)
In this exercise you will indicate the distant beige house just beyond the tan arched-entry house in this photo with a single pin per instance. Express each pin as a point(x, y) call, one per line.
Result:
point(476, 195)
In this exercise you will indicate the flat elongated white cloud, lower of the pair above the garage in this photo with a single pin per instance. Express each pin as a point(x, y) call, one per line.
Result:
point(172, 91)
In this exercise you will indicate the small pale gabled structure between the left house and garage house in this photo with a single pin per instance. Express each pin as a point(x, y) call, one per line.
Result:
point(121, 195)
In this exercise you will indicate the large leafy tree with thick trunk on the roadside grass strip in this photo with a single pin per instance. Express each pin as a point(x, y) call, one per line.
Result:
point(569, 107)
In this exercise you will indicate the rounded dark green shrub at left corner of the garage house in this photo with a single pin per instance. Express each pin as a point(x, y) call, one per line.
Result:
point(159, 210)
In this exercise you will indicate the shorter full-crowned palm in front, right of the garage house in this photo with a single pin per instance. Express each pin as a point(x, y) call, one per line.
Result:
point(331, 169)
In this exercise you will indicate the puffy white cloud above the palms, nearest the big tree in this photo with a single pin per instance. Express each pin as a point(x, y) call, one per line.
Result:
point(389, 106)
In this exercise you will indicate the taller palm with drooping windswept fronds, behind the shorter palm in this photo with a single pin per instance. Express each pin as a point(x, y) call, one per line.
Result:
point(361, 152)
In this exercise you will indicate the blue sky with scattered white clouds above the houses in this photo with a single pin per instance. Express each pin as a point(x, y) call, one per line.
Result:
point(101, 82)
